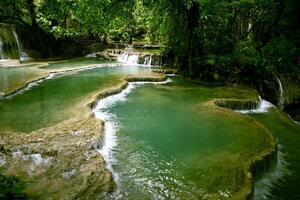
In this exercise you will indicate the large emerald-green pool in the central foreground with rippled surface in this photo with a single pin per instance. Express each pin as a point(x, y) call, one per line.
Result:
point(170, 147)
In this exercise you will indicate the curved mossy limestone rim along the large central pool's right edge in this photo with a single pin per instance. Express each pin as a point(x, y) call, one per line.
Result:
point(260, 163)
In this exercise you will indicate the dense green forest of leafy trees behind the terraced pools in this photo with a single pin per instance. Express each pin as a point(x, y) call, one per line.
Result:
point(239, 41)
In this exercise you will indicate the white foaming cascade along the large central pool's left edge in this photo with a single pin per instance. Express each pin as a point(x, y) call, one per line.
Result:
point(101, 111)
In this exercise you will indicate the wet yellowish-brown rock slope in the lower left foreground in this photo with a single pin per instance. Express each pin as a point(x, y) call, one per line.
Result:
point(59, 162)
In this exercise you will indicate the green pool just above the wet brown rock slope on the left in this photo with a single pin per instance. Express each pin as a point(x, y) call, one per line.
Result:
point(53, 100)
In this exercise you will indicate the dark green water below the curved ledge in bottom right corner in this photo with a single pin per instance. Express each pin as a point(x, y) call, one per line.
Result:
point(286, 176)
